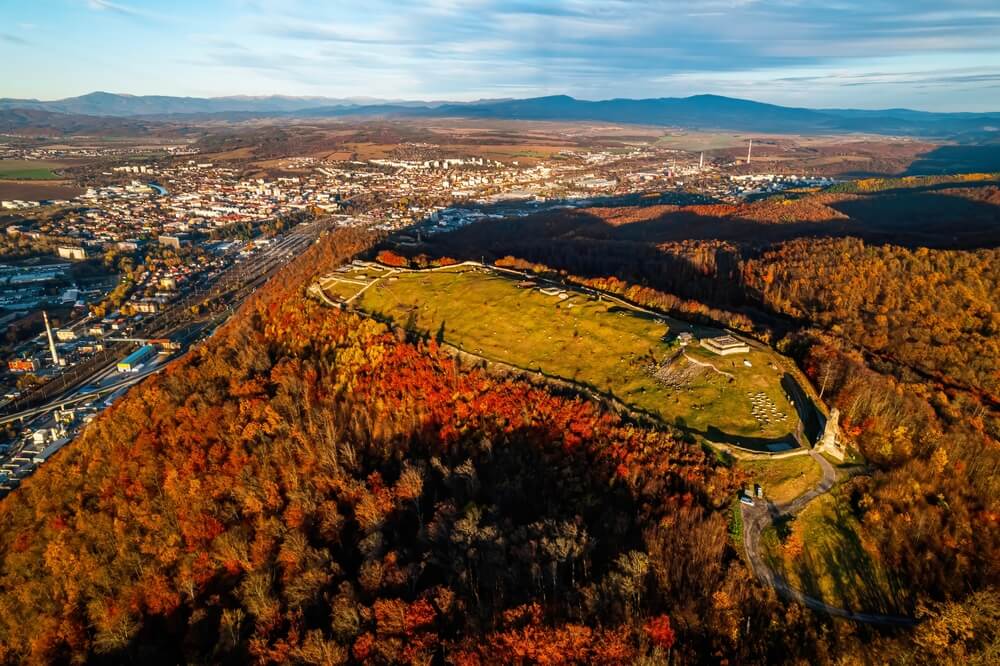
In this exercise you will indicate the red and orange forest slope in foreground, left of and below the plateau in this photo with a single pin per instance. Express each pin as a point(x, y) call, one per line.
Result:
point(310, 487)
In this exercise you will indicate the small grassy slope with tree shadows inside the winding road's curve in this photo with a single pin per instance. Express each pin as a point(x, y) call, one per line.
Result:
point(831, 562)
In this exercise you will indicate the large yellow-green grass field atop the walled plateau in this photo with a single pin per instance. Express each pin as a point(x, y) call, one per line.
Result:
point(605, 346)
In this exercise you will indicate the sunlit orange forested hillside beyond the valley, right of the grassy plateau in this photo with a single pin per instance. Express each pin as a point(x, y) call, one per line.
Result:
point(935, 311)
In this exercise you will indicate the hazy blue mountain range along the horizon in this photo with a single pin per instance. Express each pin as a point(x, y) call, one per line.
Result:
point(695, 112)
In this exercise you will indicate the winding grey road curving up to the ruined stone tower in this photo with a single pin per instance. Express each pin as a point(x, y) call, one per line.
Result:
point(763, 514)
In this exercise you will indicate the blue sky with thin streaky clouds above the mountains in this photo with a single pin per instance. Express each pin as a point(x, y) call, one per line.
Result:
point(941, 55)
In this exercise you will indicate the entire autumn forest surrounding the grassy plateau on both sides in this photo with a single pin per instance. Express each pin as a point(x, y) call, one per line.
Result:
point(312, 486)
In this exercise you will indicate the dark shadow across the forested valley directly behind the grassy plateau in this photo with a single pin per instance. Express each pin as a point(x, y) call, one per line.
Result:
point(692, 254)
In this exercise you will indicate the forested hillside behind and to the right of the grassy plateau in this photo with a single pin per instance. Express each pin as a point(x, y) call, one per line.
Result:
point(903, 340)
